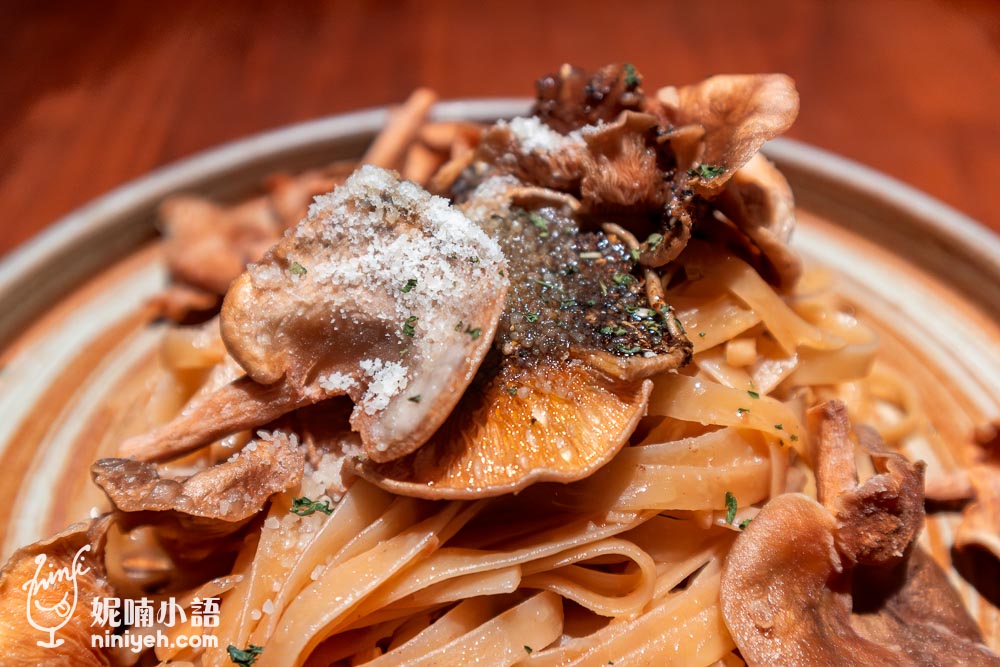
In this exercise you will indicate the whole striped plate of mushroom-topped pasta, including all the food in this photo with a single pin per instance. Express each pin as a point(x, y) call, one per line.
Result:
point(614, 376)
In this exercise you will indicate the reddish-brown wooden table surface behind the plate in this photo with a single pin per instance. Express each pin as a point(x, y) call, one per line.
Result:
point(95, 94)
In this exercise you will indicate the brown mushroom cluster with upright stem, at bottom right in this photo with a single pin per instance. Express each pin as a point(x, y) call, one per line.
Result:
point(842, 582)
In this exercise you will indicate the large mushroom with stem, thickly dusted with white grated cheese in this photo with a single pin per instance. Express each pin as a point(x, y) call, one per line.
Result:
point(362, 298)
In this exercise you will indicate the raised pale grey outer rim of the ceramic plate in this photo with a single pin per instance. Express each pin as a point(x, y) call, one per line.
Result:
point(22, 298)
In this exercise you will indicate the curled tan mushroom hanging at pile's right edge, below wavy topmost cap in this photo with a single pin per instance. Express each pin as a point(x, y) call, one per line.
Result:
point(759, 201)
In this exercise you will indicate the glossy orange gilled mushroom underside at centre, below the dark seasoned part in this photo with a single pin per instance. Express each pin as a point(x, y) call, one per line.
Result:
point(555, 422)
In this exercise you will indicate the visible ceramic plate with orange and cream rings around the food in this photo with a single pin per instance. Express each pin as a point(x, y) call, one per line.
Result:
point(79, 347)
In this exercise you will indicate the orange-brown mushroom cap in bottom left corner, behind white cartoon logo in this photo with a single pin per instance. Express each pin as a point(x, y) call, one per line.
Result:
point(74, 558)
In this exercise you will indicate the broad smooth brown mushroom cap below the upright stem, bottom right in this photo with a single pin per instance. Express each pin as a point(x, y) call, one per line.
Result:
point(787, 600)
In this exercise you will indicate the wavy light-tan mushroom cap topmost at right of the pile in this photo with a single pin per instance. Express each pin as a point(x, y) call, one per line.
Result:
point(738, 113)
